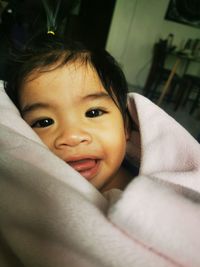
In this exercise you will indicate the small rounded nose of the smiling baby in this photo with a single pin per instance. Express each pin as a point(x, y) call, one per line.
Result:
point(72, 137)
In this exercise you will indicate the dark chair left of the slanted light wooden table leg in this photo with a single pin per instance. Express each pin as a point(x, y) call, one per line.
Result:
point(158, 74)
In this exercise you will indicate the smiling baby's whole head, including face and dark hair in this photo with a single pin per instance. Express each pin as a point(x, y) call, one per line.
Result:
point(74, 98)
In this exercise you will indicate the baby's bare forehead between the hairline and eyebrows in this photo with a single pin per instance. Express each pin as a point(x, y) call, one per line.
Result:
point(77, 78)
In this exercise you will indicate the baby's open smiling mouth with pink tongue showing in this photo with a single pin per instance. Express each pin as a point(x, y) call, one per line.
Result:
point(87, 167)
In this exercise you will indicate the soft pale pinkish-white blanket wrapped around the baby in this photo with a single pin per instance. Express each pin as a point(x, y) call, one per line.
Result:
point(50, 216)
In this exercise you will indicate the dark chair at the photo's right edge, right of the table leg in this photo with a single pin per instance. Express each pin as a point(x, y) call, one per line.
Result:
point(189, 85)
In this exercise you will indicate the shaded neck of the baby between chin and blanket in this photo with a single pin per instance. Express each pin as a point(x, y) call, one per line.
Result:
point(120, 180)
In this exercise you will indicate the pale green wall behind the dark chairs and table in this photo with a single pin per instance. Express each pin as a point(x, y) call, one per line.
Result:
point(135, 27)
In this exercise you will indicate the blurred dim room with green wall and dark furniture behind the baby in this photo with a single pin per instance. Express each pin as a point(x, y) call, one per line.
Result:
point(157, 43)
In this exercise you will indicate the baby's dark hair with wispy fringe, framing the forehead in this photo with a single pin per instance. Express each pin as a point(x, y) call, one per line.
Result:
point(43, 53)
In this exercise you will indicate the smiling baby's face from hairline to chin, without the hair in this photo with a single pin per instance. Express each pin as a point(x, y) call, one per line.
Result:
point(76, 118)
